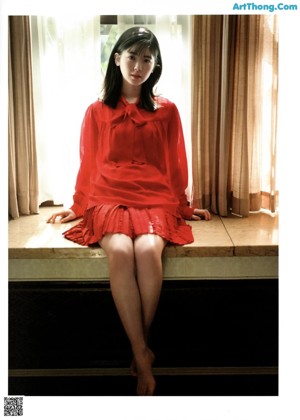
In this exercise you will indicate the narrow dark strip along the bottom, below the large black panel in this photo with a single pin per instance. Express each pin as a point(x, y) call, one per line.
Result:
point(166, 386)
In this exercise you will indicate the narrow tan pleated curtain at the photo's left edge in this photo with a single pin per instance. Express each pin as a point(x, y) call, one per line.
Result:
point(23, 177)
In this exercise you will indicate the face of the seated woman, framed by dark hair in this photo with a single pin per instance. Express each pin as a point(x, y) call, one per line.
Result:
point(136, 67)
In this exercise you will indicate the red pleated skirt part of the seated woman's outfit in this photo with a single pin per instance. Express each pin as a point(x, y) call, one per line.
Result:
point(105, 219)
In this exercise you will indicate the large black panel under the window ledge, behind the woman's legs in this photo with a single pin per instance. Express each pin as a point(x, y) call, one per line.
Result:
point(65, 325)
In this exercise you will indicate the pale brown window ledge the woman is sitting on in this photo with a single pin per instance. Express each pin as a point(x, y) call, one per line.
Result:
point(230, 247)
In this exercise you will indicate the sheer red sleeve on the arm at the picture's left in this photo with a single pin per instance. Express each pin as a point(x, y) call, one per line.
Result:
point(88, 147)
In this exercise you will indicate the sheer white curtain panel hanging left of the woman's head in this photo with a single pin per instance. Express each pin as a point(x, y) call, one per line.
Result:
point(66, 79)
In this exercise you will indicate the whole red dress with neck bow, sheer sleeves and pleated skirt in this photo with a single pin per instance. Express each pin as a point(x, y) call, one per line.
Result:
point(133, 174)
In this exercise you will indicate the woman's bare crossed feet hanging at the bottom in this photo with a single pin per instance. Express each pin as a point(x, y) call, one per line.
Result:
point(146, 382)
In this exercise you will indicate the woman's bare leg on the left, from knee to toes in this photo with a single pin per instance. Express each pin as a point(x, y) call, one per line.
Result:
point(120, 251)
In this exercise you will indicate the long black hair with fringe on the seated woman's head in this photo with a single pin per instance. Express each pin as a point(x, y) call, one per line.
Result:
point(142, 38)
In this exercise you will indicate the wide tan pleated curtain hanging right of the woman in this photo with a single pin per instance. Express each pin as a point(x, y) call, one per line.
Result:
point(234, 113)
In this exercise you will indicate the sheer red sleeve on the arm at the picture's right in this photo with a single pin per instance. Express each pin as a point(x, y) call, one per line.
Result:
point(178, 164)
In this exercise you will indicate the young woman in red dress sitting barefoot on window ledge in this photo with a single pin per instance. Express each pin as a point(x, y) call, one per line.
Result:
point(130, 188)
